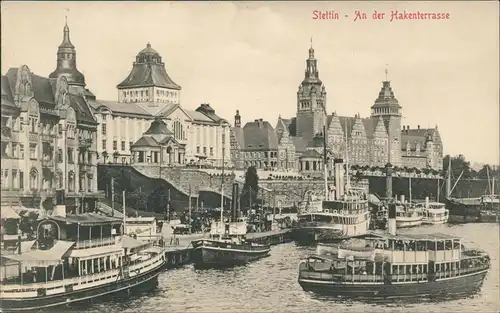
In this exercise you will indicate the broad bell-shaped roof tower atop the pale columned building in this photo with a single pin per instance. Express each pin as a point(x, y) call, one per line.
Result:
point(148, 83)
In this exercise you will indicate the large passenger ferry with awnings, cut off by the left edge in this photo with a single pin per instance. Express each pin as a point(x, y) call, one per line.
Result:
point(77, 257)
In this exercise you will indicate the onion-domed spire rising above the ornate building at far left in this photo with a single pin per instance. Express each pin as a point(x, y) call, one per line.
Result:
point(66, 65)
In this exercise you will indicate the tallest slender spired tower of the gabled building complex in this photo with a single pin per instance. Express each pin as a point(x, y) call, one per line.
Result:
point(311, 101)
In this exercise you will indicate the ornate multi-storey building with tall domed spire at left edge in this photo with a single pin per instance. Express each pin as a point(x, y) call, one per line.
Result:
point(48, 135)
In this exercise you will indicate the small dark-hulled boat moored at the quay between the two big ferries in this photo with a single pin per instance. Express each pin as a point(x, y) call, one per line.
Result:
point(227, 247)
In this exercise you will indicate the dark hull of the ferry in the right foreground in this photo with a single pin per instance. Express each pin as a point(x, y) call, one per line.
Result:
point(465, 284)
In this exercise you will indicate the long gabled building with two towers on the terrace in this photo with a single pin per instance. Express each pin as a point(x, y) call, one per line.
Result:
point(372, 141)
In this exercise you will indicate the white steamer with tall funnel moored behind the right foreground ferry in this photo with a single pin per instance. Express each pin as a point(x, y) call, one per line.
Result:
point(348, 215)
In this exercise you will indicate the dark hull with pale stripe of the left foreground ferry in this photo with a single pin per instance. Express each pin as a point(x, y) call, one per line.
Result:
point(142, 281)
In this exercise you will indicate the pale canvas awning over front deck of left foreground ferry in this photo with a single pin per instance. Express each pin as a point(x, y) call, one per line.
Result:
point(43, 258)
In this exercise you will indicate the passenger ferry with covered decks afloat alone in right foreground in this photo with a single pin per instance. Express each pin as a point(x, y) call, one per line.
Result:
point(396, 266)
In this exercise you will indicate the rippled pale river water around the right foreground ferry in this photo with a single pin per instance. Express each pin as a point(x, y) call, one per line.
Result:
point(270, 285)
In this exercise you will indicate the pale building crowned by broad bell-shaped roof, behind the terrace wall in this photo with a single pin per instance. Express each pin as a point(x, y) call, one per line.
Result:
point(147, 94)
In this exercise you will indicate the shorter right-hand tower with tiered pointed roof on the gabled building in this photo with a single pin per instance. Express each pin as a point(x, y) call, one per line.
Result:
point(387, 107)
